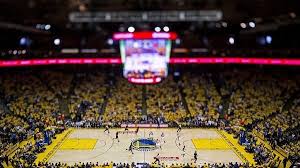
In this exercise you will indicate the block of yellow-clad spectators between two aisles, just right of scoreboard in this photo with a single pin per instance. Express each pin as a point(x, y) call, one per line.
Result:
point(203, 100)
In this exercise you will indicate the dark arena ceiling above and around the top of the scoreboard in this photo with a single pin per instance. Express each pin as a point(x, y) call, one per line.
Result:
point(252, 24)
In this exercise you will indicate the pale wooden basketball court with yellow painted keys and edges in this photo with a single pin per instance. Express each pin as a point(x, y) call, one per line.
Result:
point(95, 145)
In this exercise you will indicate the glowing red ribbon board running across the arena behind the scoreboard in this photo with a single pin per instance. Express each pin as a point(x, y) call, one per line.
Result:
point(199, 60)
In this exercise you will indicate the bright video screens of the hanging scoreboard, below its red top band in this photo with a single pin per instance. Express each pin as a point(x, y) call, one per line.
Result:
point(145, 60)
